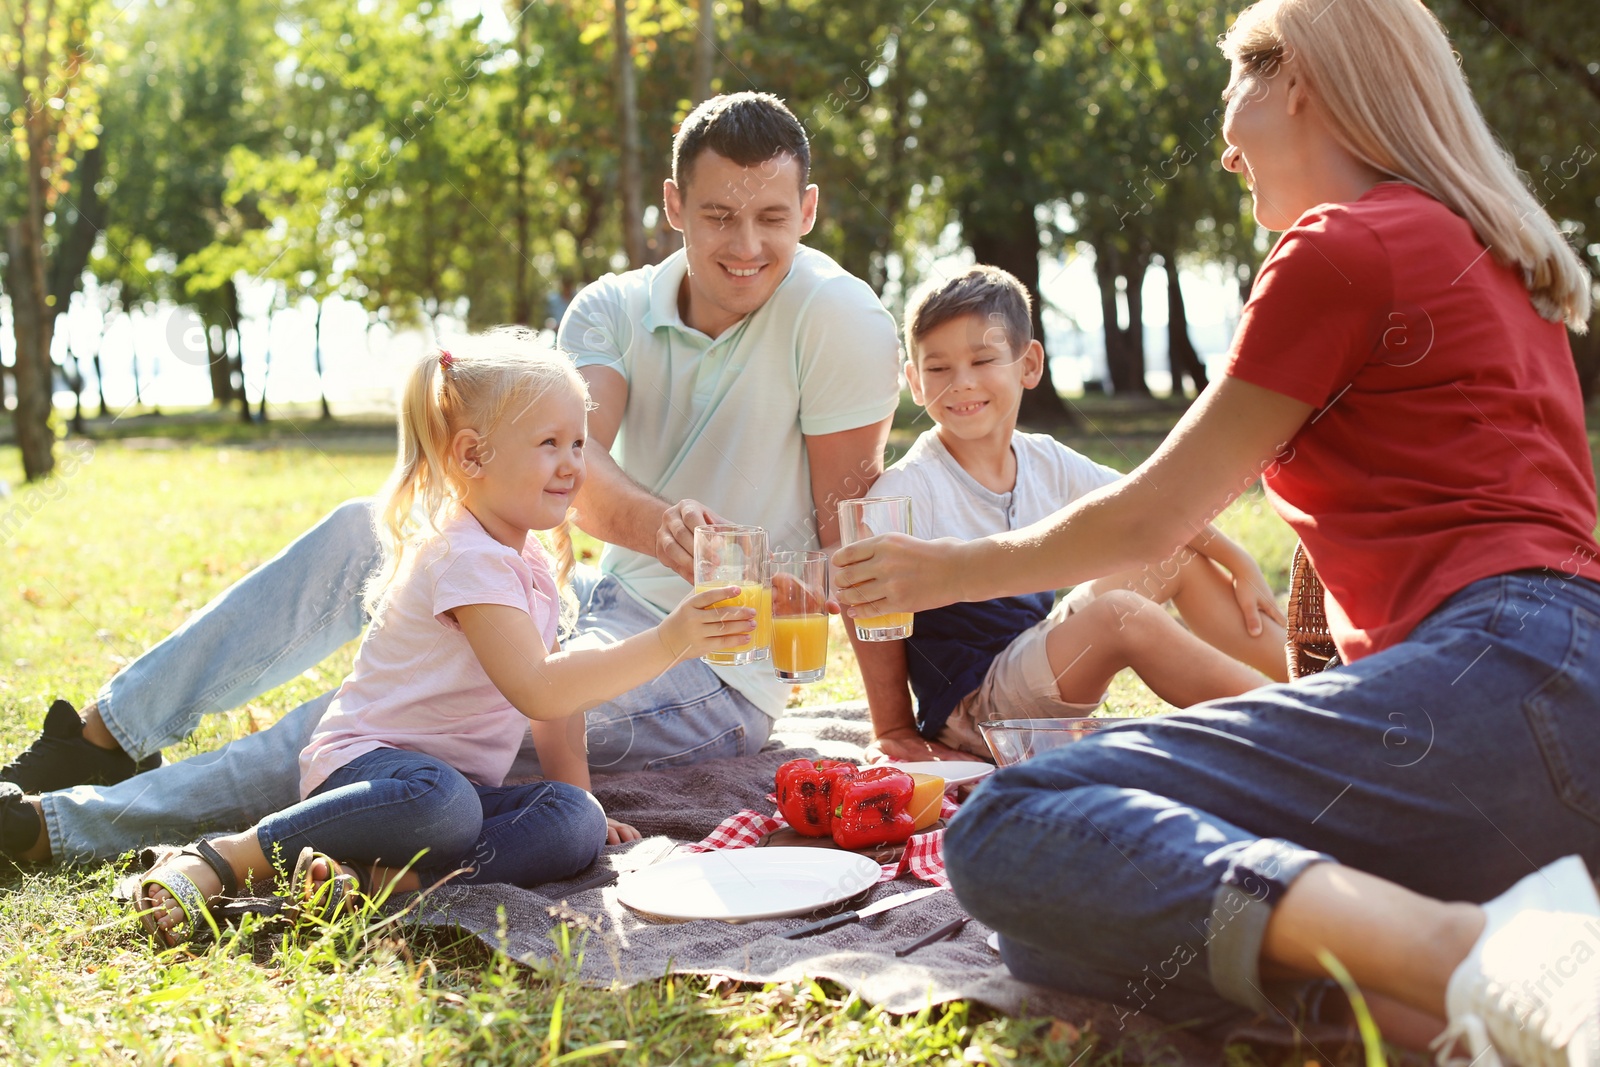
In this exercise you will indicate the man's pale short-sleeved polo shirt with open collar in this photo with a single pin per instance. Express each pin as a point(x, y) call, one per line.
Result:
point(724, 422)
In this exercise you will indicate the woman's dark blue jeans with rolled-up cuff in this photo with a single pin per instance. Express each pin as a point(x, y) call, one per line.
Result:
point(1142, 865)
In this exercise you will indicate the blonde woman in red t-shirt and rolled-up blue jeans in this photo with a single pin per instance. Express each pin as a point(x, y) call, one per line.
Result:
point(1404, 383)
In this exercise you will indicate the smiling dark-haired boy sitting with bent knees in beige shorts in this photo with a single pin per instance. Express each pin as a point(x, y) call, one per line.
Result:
point(970, 356)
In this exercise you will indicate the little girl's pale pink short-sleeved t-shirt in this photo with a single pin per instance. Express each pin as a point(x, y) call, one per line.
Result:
point(417, 684)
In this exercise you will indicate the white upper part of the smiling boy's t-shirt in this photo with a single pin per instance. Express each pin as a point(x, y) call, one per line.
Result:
point(950, 503)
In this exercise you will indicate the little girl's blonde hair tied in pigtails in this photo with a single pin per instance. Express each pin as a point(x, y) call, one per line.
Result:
point(474, 383)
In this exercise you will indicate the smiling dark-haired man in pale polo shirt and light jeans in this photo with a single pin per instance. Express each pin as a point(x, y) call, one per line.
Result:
point(746, 378)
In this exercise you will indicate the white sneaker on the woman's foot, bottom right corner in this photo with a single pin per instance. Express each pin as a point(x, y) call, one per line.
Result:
point(1529, 994)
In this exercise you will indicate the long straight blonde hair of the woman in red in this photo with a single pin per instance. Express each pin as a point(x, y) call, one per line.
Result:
point(1396, 98)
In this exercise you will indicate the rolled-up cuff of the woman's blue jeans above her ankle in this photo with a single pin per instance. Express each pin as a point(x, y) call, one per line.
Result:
point(1252, 887)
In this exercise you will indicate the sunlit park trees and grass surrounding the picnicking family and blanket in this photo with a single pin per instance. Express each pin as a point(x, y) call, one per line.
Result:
point(230, 226)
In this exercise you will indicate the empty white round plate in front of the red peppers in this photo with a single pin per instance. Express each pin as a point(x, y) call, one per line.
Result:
point(748, 884)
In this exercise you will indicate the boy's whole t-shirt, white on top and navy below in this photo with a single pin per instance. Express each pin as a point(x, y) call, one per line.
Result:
point(951, 649)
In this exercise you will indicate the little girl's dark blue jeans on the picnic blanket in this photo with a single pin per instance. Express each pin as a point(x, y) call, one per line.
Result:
point(391, 807)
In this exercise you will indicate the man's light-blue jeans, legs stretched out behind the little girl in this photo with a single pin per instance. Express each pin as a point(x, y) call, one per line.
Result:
point(287, 617)
